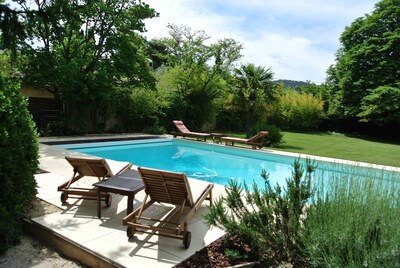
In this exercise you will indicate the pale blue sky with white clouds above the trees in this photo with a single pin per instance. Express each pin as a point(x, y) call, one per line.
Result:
point(297, 39)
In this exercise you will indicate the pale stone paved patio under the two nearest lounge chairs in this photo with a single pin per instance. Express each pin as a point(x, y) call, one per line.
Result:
point(106, 238)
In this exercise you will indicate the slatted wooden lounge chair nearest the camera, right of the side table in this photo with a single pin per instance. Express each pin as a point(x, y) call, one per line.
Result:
point(179, 199)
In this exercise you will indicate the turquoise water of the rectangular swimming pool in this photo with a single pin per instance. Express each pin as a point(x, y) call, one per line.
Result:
point(209, 162)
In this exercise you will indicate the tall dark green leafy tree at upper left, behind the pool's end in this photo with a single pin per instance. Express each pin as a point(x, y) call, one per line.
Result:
point(81, 50)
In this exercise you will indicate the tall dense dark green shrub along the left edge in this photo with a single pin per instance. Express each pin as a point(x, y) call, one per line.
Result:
point(18, 159)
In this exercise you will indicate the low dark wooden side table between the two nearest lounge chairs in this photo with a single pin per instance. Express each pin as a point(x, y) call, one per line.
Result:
point(126, 183)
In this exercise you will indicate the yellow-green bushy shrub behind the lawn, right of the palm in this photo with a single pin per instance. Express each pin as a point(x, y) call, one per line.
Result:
point(300, 112)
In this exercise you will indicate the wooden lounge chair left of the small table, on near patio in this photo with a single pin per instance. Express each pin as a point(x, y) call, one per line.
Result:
point(92, 167)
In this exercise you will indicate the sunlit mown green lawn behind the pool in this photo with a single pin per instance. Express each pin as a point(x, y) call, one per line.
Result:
point(340, 146)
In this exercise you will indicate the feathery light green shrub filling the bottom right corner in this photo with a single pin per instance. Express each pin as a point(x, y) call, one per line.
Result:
point(353, 221)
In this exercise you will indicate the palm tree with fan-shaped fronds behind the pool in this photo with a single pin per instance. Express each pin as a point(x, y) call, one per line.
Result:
point(253, 89)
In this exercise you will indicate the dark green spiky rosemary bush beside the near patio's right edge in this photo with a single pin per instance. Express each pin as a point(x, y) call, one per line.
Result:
point(268, 220)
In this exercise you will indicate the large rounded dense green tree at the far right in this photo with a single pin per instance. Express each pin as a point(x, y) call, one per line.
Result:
point(367, 60)
